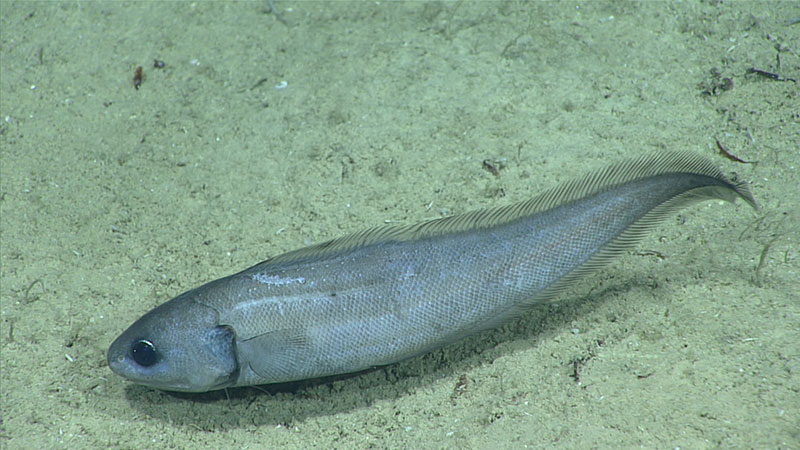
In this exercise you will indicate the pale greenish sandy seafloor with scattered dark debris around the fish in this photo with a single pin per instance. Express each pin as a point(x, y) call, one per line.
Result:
point(260, 136)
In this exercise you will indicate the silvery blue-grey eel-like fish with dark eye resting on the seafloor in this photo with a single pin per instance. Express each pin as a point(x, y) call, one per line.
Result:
point(393, 292)
